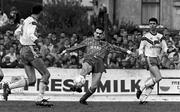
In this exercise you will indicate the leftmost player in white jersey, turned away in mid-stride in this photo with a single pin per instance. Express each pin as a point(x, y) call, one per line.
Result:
point(31, 57)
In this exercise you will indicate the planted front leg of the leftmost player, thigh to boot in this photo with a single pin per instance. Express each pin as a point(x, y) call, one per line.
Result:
point(40, 66)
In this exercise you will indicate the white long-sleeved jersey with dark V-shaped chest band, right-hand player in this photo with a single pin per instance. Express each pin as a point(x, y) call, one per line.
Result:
point(152, 45)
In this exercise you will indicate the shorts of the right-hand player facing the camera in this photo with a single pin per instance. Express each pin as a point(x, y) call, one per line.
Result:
point(152, 61)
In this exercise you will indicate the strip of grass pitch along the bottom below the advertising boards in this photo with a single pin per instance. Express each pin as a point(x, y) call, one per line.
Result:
point(29, 106)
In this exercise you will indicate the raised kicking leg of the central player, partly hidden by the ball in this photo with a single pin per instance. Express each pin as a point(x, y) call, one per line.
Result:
point(86, 69)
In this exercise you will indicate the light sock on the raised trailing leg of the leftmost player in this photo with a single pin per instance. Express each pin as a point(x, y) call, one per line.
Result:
point(21, 83)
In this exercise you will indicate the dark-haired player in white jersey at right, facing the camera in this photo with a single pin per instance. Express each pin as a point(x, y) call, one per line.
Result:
point(151, 47)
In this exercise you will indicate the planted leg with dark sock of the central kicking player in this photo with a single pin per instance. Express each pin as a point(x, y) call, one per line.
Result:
point(96, 77)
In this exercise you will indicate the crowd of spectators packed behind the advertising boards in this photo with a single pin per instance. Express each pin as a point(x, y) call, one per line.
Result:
point(53, 45)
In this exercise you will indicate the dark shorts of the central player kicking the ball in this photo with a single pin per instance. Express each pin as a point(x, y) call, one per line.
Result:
point(96, 63)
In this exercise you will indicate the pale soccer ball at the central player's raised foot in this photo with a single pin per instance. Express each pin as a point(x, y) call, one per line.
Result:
point(79, 81)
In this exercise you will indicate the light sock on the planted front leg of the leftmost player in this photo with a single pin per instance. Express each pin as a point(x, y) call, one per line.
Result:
point(42, 89)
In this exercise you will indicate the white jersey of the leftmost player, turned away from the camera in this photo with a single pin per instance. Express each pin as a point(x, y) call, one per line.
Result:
point(28, 31)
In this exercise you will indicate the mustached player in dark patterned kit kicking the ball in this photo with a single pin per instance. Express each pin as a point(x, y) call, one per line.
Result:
point(96, 51)
